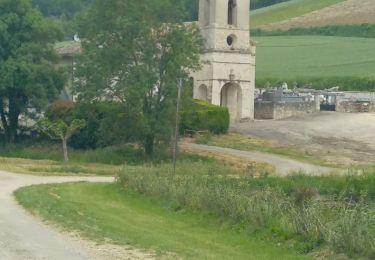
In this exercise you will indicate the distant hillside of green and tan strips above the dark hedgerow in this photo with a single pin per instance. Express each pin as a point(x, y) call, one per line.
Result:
point(314, 13)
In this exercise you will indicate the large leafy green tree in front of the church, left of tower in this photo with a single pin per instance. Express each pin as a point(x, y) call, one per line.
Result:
point(135, 52)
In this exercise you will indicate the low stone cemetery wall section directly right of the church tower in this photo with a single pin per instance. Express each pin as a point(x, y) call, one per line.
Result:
point(280, 110)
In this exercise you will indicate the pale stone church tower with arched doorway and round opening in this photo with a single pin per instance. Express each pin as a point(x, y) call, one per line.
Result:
point(228, 74)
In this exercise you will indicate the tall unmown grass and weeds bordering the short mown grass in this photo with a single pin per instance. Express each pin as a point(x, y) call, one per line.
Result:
point(303, 215)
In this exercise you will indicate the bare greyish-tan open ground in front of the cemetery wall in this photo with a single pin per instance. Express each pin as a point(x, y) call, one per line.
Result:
point(336, 138)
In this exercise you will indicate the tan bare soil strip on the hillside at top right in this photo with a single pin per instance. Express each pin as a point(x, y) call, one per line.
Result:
point(348, 12)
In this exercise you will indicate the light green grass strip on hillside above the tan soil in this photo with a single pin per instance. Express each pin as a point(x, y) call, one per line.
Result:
point(287, 10)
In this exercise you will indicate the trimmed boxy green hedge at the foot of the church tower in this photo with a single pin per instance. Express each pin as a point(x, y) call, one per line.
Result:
point(202, 116)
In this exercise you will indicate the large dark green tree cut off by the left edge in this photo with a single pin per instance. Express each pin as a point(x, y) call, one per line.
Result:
point(28, 77)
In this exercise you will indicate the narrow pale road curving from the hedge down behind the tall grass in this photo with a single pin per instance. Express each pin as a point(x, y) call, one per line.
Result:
point(282, 164)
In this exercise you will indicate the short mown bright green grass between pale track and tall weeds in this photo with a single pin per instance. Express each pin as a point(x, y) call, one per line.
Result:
point(107, 211)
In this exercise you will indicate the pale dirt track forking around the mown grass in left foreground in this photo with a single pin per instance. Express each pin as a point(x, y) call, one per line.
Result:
point(23, 236)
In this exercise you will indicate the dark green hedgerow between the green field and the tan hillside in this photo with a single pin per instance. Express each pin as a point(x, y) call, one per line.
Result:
point(348, 30)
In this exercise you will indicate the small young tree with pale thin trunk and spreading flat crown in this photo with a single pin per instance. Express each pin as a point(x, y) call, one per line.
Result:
point(60, 130)
